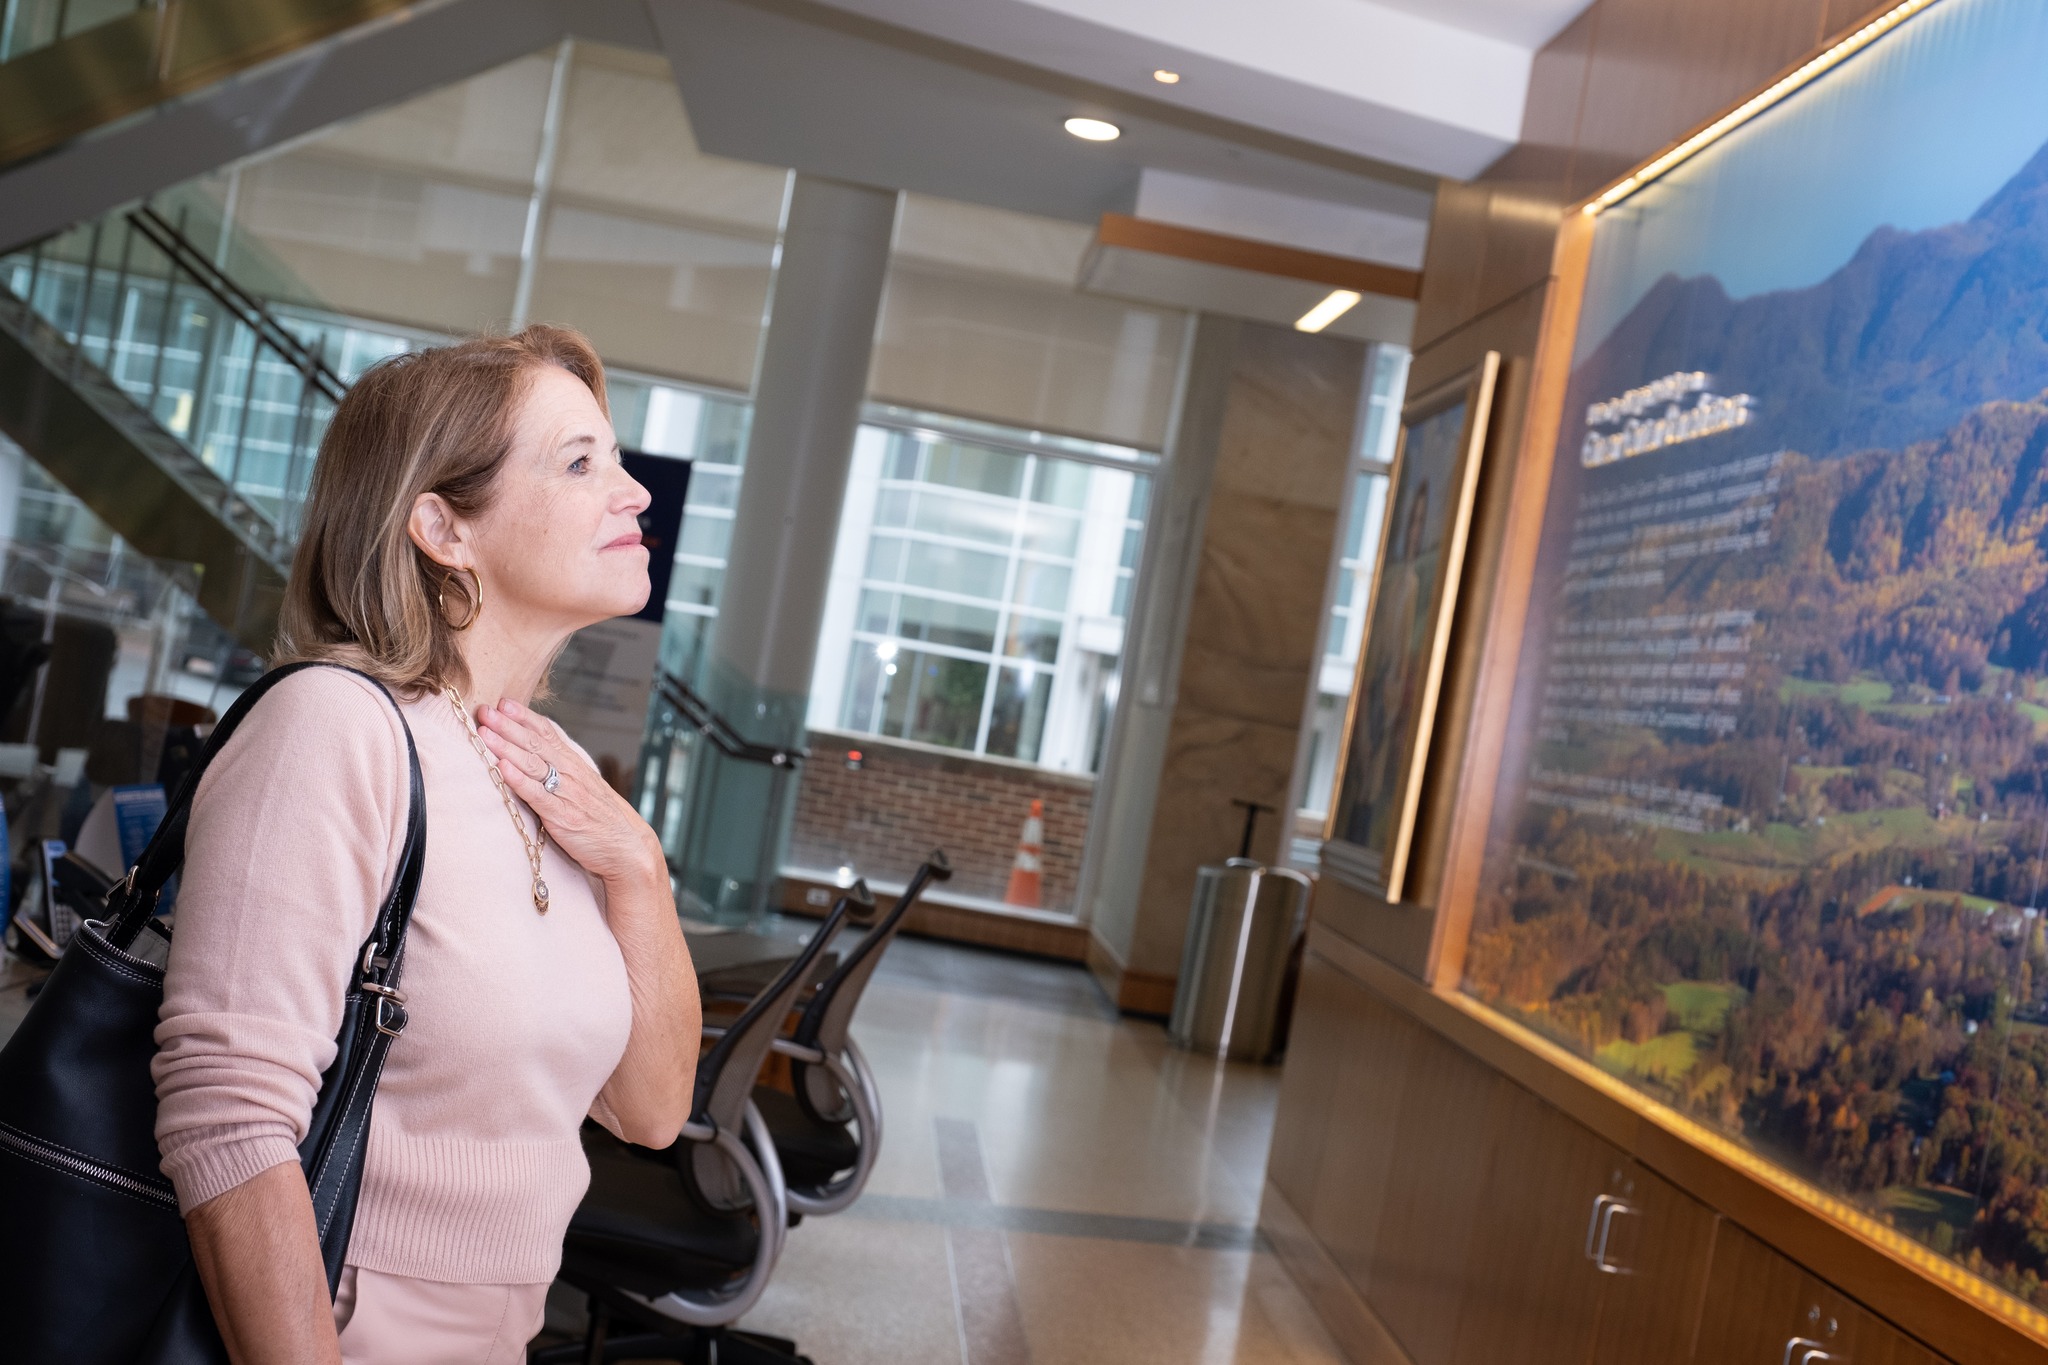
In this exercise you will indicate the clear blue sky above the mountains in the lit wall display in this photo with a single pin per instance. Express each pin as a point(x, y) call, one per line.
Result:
point(1916, 132)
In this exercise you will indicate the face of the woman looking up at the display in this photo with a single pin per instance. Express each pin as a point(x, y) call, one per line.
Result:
point(560, 545)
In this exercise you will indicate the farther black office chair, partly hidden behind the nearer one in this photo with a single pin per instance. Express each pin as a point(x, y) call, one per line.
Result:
point(824, 1163)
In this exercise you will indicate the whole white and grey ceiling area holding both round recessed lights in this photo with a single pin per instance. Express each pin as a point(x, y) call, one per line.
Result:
point(1314, 124)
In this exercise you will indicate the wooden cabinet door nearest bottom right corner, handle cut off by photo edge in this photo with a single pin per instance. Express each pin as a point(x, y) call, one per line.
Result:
point(1768, 1311)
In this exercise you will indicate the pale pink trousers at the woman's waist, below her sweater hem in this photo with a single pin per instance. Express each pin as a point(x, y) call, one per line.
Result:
point(400, 1321)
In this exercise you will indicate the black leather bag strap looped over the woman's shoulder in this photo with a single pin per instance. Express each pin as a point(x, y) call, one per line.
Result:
point(134, 899)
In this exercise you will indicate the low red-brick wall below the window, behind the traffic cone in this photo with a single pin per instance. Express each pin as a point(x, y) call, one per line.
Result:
point(906, 799)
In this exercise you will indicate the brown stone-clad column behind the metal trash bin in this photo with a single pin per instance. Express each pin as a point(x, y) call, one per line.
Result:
point(1226, 640)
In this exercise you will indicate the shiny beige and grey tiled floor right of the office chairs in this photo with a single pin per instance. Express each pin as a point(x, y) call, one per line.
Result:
point(1058, 1186)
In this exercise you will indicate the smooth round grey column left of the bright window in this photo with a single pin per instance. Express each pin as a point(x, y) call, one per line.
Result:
point(814, 378)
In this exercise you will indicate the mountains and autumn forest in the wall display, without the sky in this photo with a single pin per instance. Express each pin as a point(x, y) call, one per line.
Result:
point(1783, 844)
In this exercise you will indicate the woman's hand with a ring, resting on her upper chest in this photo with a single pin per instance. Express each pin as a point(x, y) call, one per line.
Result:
point(583, 813)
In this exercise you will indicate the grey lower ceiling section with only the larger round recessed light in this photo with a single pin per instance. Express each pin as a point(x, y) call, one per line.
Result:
point(839, 95)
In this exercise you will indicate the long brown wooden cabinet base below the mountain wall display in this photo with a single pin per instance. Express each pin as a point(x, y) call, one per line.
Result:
point(1484, 1227)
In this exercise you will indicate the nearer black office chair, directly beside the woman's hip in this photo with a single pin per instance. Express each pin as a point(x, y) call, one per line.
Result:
point(681, 1243)
